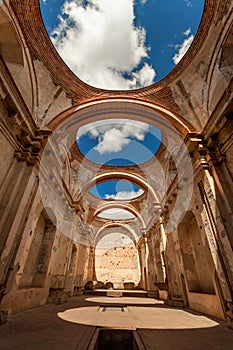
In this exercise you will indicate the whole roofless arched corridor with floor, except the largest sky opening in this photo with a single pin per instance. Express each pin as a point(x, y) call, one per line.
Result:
point(115, 205)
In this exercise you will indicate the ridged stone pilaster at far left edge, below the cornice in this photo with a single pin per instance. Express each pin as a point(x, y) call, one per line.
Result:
point(16, 195)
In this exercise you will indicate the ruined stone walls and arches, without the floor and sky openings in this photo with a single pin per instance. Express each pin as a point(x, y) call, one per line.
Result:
point(179, 237)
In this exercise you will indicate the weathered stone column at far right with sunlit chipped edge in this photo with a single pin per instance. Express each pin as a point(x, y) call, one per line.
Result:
point(216, 234)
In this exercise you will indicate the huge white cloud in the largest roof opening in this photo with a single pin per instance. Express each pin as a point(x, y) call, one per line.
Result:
point(99, 42)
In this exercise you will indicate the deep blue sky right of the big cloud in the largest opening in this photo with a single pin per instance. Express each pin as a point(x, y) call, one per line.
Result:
point(167, 23)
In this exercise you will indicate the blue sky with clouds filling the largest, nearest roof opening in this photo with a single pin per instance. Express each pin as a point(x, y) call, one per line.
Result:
point(121, 44)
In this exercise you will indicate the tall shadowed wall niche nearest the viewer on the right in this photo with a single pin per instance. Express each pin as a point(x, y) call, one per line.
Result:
point(198, 277)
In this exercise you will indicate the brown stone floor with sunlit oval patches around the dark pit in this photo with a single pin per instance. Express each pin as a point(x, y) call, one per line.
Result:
point(71, 325)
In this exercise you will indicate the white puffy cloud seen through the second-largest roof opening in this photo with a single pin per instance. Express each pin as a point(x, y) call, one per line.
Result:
point(114, 135)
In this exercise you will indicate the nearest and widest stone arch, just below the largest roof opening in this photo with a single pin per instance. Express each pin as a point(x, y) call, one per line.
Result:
point(153, 114)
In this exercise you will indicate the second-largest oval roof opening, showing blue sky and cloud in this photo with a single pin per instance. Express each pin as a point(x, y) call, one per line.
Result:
point(118, 142)
